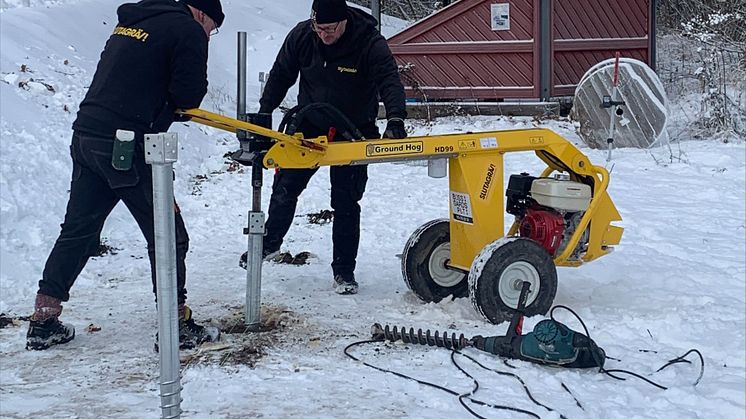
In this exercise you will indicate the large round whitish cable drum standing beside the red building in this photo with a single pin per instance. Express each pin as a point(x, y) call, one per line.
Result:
point(643, 121)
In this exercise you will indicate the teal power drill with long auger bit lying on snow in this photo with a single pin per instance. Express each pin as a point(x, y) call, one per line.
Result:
point(551, 342)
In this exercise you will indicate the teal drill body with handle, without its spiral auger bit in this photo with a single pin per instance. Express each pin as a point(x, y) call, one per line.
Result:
point(550, 343)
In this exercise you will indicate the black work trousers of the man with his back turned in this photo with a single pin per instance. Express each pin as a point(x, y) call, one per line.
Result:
point(94, 191)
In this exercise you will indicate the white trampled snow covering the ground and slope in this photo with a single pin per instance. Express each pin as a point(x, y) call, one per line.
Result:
point(676, 281)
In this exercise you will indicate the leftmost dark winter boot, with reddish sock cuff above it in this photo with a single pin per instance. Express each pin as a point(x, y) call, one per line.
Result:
point(45, 329)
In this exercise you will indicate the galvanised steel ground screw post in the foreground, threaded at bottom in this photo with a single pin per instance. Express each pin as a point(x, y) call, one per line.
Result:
point(161, 152)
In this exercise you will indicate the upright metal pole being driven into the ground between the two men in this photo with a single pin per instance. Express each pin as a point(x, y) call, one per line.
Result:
point(252, 313)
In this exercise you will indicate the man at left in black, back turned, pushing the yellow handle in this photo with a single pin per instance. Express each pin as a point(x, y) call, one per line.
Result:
point(154, 62)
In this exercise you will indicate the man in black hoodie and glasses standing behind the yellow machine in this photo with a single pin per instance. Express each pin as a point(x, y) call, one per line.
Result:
point(342, 61)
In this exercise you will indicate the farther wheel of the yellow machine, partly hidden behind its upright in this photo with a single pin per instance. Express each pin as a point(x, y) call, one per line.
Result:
point(424, 264)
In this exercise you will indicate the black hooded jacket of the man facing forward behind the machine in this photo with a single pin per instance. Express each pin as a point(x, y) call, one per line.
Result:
point(350, 74)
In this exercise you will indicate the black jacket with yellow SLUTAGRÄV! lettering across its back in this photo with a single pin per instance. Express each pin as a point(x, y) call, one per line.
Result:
point(154, 62)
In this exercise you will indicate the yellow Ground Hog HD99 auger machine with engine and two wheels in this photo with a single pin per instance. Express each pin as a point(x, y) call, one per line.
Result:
point(563, 216)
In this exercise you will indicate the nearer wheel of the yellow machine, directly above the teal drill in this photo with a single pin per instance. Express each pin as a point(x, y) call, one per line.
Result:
point(498, 272)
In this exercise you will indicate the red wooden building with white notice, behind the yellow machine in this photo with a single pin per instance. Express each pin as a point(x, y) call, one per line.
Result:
point(486, 50)
